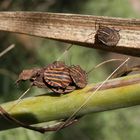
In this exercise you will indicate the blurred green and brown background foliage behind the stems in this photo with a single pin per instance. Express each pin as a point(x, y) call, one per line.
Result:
point(36, 52)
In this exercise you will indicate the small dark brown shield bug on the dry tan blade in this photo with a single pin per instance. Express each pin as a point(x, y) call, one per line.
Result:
point(108, 36)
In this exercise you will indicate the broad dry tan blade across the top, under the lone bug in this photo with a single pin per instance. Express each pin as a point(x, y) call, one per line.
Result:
point(74, 28)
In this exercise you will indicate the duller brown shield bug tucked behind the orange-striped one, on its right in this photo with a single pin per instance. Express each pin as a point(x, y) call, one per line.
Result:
point(78, 76)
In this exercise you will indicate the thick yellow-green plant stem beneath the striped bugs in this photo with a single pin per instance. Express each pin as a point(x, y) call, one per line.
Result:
point(118, 93)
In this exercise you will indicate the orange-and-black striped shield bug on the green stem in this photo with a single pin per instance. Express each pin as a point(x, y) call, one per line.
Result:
point(57, 77)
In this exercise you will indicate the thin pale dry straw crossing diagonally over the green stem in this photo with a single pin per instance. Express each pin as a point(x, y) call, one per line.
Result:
point(92, 94)
